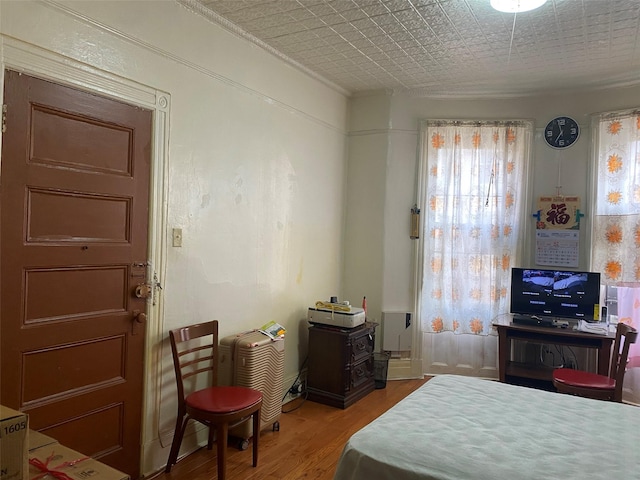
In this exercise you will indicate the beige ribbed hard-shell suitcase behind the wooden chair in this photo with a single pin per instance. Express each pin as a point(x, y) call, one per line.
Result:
point(251, 359)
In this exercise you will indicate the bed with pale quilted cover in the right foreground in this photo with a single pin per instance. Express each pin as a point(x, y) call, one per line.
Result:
point(457, 428)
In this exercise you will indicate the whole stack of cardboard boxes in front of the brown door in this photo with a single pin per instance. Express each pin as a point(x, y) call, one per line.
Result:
point(28, 455)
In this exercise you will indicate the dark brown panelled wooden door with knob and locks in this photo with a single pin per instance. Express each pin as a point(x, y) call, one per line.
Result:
point(74, 206)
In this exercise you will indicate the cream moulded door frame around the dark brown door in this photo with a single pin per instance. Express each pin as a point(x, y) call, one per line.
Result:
point(35, 61)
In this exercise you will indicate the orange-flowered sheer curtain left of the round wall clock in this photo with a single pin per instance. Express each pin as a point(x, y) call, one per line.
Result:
point(474, 196)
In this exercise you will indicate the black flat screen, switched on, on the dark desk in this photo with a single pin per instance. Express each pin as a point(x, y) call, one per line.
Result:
point(555, 293)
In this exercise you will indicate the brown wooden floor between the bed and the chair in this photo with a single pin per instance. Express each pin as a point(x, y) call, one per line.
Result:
point(307, 446)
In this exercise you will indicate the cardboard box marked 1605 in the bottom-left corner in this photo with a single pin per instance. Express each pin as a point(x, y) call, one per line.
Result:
point(14, 427)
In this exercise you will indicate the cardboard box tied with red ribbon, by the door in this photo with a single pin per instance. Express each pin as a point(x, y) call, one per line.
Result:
point(74, 464)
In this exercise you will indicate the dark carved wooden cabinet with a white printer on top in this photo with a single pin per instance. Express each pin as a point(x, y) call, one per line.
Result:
point(340, 364)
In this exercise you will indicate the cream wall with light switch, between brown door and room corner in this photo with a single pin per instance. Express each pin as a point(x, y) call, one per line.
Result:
point(255, 176)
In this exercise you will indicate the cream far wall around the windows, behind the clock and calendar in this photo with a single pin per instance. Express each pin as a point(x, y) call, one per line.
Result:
point(395, 119)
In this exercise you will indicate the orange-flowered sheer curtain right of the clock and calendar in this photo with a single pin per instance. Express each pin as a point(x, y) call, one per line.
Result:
point(616, 225)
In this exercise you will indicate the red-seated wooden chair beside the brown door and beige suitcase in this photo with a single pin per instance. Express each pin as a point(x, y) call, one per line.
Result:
point(195, 355)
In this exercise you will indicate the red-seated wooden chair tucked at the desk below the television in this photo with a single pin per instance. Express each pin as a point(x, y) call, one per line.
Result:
point(600, 387)
